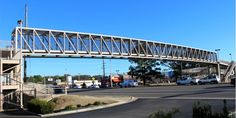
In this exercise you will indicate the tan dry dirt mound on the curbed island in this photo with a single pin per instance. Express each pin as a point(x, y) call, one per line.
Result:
point(62, 101)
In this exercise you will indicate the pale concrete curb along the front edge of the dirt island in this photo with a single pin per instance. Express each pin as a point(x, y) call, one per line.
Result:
point(132, 99)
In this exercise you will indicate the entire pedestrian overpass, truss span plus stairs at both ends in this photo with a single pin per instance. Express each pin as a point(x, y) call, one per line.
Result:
point(46, 43)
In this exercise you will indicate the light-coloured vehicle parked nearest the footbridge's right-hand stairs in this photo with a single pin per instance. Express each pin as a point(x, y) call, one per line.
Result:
point(211, 79)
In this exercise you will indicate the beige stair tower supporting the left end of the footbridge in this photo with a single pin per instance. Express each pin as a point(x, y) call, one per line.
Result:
point(10, 80)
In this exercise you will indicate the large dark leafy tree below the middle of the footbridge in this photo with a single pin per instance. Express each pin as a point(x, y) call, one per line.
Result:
point(144, 69)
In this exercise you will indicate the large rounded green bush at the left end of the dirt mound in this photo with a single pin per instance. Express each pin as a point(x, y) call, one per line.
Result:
point(40, 106)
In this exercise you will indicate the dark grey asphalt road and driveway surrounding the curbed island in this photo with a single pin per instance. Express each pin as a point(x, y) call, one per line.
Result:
point(163, 98)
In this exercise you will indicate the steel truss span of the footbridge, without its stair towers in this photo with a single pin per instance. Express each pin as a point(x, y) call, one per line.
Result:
point(35, 42)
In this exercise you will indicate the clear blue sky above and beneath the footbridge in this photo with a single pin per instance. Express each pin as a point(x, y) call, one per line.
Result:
point(206, 24)
